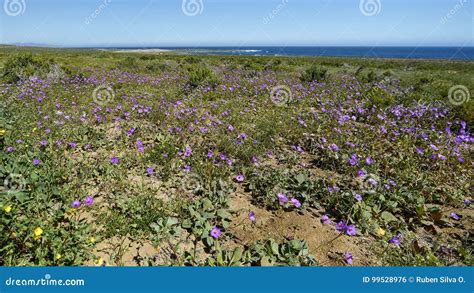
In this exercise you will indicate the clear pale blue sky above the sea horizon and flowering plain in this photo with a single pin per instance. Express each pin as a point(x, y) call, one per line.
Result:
point(238, 22)
